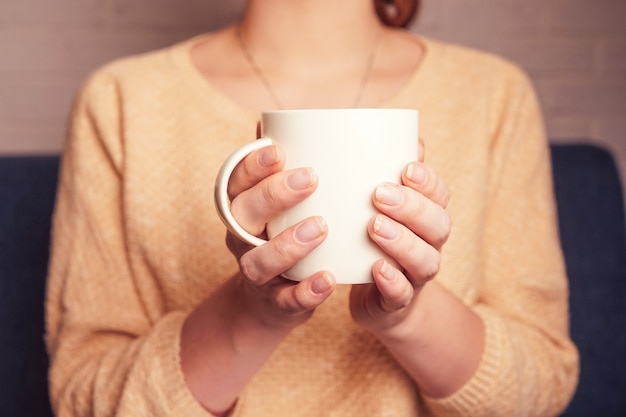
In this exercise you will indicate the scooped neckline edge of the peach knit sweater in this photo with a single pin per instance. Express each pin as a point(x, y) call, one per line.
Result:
point(206, 91)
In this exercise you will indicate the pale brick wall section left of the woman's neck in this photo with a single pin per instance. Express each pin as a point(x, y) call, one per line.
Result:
point(48, 47)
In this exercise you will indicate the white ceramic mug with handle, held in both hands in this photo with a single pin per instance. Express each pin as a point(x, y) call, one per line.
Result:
point(352, 151)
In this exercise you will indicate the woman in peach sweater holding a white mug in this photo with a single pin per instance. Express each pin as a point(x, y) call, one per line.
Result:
point(149, 313)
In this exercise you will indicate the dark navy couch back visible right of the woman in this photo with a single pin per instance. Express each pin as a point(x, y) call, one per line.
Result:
point(592, 227)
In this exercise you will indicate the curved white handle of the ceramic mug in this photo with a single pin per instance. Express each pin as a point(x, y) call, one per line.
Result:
point(222, 202)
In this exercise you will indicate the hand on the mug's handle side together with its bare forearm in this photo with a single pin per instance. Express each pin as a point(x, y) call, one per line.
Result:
point(229, 336)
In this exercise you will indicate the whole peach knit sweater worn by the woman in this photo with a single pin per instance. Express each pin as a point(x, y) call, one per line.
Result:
point(137, 244)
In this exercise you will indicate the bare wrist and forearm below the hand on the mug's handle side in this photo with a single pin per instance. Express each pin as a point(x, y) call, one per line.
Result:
point(223, 344)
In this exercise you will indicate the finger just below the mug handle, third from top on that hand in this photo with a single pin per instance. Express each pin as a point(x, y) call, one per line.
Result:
point(260, 264)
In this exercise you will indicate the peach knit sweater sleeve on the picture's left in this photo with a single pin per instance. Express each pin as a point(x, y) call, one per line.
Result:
point(110, 354)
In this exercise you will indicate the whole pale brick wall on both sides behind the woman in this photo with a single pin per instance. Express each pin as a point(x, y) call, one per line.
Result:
point(575, 51)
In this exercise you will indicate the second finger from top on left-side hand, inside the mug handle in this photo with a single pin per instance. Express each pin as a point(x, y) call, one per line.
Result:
point(254, 207)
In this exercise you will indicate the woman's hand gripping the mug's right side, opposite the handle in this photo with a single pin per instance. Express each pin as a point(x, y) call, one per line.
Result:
point(412, 227)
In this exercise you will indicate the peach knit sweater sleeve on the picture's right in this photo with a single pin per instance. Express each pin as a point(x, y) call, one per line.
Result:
point(530, 365)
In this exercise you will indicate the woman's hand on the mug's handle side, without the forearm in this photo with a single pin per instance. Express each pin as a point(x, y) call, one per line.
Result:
point(259, 190)
